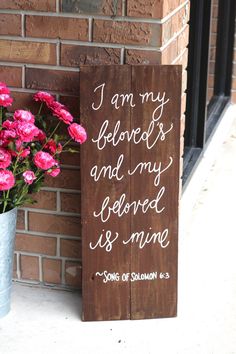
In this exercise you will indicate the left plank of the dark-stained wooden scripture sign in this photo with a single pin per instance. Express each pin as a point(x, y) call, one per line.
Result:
point(104, 300)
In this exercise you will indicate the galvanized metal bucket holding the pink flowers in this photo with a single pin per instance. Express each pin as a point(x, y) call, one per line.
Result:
point(7, 241)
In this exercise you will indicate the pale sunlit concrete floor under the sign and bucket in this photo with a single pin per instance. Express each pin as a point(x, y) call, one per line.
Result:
point(46, 321)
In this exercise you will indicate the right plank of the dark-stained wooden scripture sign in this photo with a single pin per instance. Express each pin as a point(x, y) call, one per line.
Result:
point(156, 260)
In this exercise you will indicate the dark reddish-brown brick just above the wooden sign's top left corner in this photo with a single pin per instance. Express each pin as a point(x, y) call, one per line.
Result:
point(74, 55)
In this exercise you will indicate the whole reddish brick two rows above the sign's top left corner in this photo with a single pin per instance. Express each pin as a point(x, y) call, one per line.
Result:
point(57, 27)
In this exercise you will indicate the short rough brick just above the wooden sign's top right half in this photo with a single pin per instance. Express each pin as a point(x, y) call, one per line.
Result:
point(136, 56)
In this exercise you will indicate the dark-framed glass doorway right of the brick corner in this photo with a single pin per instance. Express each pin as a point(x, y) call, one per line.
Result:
point(211, 41)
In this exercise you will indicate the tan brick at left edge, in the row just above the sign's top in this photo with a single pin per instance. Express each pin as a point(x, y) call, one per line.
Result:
point(27, 52)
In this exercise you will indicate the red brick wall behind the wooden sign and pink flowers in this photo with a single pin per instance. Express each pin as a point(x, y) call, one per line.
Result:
point(42, 45)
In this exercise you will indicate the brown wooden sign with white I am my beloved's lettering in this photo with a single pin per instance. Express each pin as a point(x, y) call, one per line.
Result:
point(130, 190)
